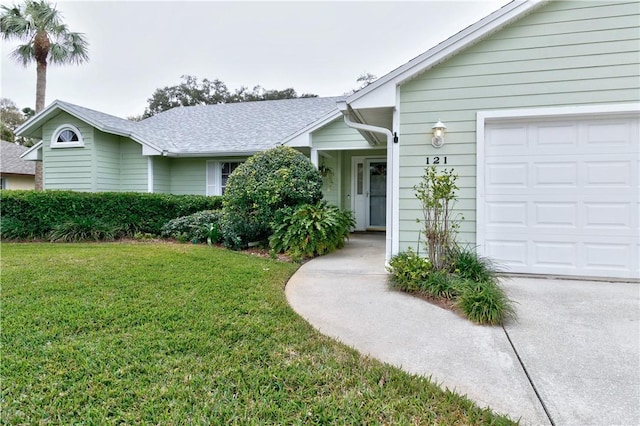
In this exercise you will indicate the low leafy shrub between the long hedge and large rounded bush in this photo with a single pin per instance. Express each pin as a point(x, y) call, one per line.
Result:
point(200, 227)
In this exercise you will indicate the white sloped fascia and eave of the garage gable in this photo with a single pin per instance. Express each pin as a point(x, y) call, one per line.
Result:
point(470, 35)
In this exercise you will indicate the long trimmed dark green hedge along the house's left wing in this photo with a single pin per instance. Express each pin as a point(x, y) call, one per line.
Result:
point(41, 211)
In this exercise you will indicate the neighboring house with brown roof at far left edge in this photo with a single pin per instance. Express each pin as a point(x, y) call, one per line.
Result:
point(15, 172)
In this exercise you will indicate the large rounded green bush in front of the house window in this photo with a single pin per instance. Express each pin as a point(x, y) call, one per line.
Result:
point(257, 189)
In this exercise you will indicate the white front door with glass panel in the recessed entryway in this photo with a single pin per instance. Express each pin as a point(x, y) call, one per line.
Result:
point(369, 202)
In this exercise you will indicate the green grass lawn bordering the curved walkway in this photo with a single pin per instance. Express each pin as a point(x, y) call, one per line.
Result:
point(180, 334)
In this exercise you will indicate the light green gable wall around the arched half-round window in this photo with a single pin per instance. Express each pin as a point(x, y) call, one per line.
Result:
point(68, 168)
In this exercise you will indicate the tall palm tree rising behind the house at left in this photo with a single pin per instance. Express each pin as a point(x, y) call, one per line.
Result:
point(48, 40)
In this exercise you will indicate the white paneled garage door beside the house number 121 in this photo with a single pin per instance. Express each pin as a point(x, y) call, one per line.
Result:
point(561, 196)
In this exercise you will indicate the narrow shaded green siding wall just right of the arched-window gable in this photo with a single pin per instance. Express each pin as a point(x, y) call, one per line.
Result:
point(107, 171)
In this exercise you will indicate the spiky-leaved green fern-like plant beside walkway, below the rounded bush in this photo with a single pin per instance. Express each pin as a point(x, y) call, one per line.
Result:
point(310, 230)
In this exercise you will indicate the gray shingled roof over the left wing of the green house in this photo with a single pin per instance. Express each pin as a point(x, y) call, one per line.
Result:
point(237, 128)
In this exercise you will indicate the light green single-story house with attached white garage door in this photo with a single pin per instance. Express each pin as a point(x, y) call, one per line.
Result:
point(541, 104)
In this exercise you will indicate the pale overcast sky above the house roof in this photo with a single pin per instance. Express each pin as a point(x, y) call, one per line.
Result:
point(319, 47)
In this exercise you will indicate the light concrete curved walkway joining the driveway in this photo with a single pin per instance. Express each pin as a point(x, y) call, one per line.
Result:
point(579, 341)
